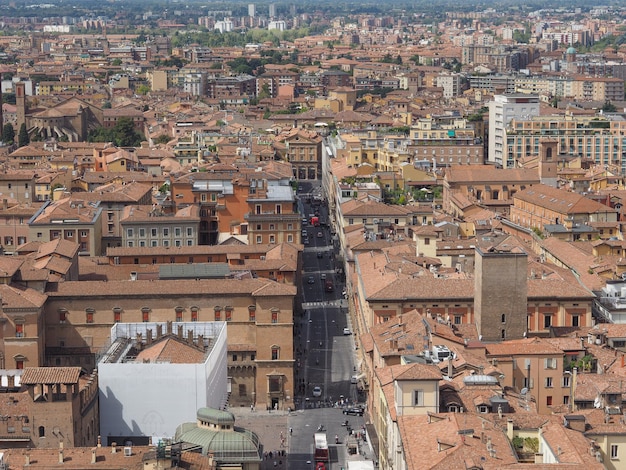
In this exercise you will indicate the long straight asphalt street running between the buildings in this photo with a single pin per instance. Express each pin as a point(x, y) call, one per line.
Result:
point(325, 355)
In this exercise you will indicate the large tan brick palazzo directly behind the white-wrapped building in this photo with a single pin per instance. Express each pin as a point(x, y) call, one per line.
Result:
point(259, 314)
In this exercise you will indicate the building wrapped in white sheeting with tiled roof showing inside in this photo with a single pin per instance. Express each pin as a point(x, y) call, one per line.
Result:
point(155, 376)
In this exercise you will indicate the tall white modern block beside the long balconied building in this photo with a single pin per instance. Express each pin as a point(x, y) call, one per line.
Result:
point(502, 110)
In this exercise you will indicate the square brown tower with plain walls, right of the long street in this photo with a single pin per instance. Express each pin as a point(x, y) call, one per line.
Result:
point(500, 288)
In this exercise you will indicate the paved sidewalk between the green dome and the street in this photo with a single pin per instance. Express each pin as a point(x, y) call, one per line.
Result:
point(267, 425)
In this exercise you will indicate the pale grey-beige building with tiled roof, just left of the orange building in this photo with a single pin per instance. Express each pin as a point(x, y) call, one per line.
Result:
point(144, 226)
